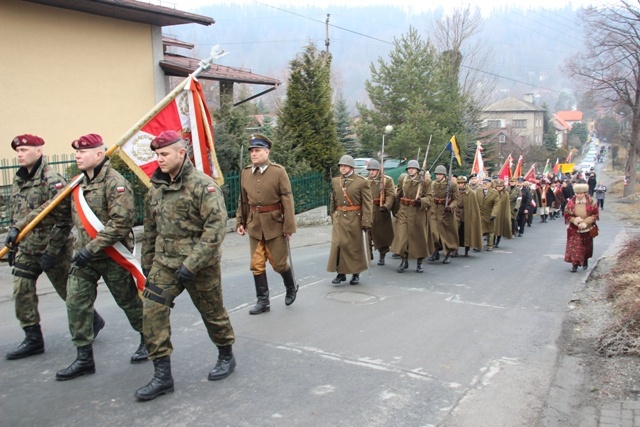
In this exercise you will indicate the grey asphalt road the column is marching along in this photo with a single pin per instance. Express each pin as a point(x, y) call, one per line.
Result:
point(471, 343)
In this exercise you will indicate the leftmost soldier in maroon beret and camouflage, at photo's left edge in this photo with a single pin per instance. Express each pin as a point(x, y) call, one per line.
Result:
point(47, 248)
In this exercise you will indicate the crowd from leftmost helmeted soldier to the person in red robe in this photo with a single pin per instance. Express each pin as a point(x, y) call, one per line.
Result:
point(423, 219)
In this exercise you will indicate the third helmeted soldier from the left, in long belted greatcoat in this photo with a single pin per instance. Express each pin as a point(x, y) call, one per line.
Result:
point(412, 238)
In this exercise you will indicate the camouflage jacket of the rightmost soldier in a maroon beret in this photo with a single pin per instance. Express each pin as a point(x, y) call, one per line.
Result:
point(185, 220)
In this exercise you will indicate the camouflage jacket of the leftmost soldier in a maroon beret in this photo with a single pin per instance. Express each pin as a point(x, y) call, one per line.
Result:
point(28, 192)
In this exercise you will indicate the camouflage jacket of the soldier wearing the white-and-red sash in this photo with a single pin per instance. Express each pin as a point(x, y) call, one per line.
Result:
point(110, 198)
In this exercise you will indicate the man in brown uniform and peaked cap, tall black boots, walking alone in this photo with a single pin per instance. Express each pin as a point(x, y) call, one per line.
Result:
point(266, 213)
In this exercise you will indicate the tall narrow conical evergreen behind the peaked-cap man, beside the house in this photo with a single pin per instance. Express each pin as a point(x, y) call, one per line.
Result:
point(306, 129)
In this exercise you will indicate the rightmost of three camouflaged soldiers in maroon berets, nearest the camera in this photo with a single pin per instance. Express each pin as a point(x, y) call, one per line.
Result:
point(184, 228)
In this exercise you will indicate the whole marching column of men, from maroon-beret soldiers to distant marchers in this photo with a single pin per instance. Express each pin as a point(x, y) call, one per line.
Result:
point(184, 227)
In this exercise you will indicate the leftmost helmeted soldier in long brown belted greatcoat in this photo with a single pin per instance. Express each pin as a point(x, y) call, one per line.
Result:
point(351, 213)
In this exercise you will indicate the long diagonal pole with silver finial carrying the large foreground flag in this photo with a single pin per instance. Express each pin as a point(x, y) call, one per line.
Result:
point(49, 205)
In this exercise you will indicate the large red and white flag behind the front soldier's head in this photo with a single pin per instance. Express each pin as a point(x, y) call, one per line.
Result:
point(187, 113)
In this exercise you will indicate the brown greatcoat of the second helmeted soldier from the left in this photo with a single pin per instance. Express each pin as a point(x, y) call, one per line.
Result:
point(382, 228)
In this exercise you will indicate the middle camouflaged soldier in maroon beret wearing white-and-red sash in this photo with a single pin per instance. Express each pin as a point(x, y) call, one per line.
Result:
point(110, 198)
